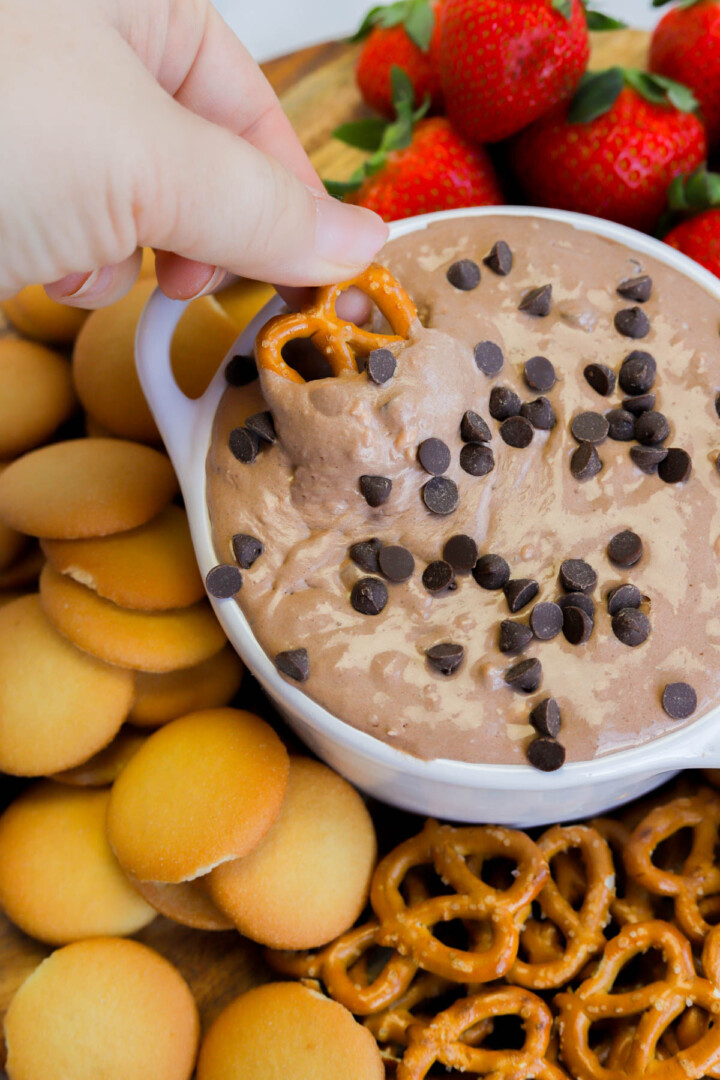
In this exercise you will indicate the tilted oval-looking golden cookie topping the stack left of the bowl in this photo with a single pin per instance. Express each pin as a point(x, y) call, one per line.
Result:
point(86, 488)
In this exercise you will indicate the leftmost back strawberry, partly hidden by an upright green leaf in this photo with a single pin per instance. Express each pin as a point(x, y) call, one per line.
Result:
point(404, 35)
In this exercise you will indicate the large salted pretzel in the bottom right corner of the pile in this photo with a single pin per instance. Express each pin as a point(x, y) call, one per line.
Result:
point(651, 1010)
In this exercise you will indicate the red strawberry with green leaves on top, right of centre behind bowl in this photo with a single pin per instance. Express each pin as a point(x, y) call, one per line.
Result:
point(615, 151)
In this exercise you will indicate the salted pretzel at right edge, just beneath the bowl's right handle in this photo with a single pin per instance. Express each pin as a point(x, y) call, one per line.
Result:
point(700, 875)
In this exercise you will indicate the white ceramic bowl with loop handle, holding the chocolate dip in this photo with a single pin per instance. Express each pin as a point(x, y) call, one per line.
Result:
point(458, 791)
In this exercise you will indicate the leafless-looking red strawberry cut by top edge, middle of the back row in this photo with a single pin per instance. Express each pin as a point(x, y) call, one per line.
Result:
point(506, 63)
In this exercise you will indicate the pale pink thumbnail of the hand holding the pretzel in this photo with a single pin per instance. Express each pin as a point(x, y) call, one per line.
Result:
point(348, 236)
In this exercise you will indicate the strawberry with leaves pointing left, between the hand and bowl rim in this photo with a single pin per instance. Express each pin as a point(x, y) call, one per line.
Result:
point(417, 166)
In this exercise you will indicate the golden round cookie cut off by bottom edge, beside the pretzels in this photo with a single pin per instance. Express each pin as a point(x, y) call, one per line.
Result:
point(284, 1030)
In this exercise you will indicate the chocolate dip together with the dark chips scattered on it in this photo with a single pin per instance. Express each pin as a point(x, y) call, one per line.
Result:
point(499, 541)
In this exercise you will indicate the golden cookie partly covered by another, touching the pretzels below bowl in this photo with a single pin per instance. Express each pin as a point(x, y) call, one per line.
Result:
point(309, 880)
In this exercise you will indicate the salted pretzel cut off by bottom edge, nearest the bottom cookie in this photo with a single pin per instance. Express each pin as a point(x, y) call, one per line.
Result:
point(442, 1041)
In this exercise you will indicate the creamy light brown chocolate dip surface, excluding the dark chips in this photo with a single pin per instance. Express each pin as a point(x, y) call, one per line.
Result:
point(302, 499)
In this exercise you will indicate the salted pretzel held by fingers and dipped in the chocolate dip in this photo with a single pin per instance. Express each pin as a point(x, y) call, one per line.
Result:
point(341, 342)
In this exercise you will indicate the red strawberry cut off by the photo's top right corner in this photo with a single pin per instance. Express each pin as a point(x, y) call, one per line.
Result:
point(686, 47)
